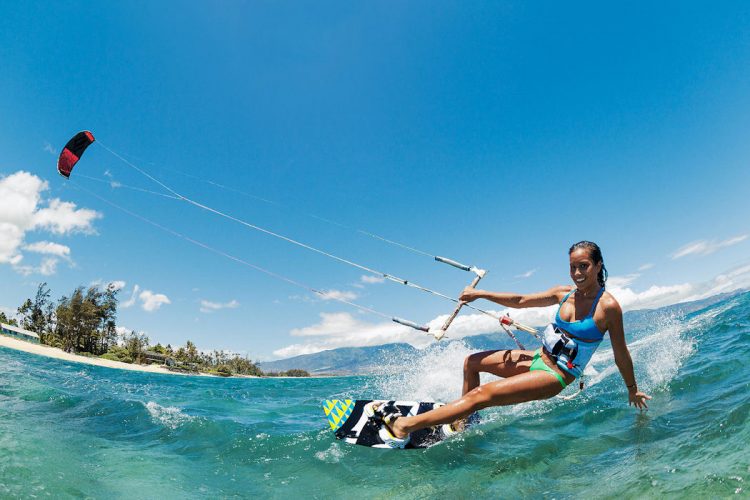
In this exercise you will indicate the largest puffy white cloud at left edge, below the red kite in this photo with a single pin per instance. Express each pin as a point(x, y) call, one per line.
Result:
point(22, 209)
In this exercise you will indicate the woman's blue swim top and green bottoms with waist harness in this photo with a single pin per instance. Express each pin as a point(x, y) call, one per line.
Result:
point(560, 341)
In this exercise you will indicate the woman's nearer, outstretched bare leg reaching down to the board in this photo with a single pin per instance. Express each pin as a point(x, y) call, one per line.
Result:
point(521, 388)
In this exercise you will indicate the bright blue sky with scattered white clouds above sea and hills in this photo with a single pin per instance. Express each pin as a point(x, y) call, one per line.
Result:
point(493, 133)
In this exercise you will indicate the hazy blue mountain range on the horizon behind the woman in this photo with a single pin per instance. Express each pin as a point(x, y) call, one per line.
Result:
point(365, 360)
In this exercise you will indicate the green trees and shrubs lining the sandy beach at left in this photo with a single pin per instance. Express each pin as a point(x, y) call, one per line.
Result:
point(84, 323)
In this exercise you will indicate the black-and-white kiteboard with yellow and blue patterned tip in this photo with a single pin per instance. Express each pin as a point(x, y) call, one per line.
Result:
point(350, 424)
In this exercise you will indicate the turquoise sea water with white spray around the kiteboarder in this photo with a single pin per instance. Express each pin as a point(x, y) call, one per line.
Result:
point(70, 430)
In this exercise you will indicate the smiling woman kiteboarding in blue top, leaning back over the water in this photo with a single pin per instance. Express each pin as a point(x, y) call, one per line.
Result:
point(586, 312)
